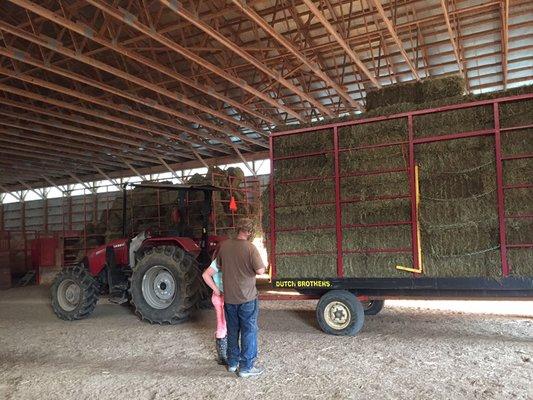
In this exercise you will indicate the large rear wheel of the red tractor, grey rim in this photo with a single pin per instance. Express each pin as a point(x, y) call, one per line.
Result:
point(164, 285)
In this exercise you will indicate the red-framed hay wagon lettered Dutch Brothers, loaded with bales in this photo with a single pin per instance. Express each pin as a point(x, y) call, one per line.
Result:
point(424, 203)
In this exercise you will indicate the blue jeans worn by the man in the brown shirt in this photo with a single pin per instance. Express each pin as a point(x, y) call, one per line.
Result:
point(241, 320)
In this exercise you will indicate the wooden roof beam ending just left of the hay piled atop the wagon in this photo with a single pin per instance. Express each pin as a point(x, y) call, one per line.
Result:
point(254, 16)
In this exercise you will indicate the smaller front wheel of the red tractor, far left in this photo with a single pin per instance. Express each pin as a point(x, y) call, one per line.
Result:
point(74, 293)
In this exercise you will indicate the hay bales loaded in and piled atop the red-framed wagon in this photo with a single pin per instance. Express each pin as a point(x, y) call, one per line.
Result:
point(458, 211)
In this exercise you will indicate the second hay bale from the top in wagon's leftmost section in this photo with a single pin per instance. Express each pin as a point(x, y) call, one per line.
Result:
point(307, 167)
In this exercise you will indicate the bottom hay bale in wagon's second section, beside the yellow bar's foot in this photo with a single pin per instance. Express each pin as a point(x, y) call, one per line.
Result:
point(376, 265)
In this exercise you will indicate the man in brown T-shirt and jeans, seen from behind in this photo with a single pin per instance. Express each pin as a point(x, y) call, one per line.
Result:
point(240, 262)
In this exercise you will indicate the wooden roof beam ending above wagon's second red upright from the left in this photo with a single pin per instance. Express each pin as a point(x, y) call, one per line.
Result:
point(182, 12)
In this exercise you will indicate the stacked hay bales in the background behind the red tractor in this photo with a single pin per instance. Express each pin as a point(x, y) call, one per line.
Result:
point(150, 208)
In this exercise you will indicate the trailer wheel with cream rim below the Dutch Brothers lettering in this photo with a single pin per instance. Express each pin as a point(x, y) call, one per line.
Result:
point(340, 312)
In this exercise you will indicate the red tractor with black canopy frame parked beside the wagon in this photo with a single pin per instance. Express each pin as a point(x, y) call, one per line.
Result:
point(159, 276)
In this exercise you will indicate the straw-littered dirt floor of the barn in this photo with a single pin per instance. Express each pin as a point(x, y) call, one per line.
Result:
point(407, 351)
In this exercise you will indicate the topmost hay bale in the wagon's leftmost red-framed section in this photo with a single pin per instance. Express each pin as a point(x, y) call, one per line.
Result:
point(309, 142)
